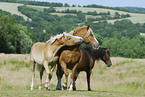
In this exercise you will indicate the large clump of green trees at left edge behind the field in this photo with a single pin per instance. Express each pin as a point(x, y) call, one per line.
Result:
point(11, 39)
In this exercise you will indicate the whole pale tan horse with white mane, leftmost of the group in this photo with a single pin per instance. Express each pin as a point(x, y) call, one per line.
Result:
point(46, 54)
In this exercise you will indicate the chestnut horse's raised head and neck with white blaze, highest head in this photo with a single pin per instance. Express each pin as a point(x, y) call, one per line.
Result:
point(87, 34)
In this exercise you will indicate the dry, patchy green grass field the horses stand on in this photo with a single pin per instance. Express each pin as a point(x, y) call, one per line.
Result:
point(125, 78)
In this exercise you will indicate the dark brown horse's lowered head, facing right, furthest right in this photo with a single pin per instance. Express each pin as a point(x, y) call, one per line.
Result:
point(106, 57)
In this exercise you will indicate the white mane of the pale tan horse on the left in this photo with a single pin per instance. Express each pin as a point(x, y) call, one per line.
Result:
point(53, 38)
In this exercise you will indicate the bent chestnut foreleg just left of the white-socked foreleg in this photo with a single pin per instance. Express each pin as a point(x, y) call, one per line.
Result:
point(63, 65)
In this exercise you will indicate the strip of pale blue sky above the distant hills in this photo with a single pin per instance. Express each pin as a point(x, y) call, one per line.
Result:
point(110, 3)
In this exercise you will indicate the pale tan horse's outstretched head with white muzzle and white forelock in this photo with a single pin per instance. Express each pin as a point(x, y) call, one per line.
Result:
point(70, 40)
